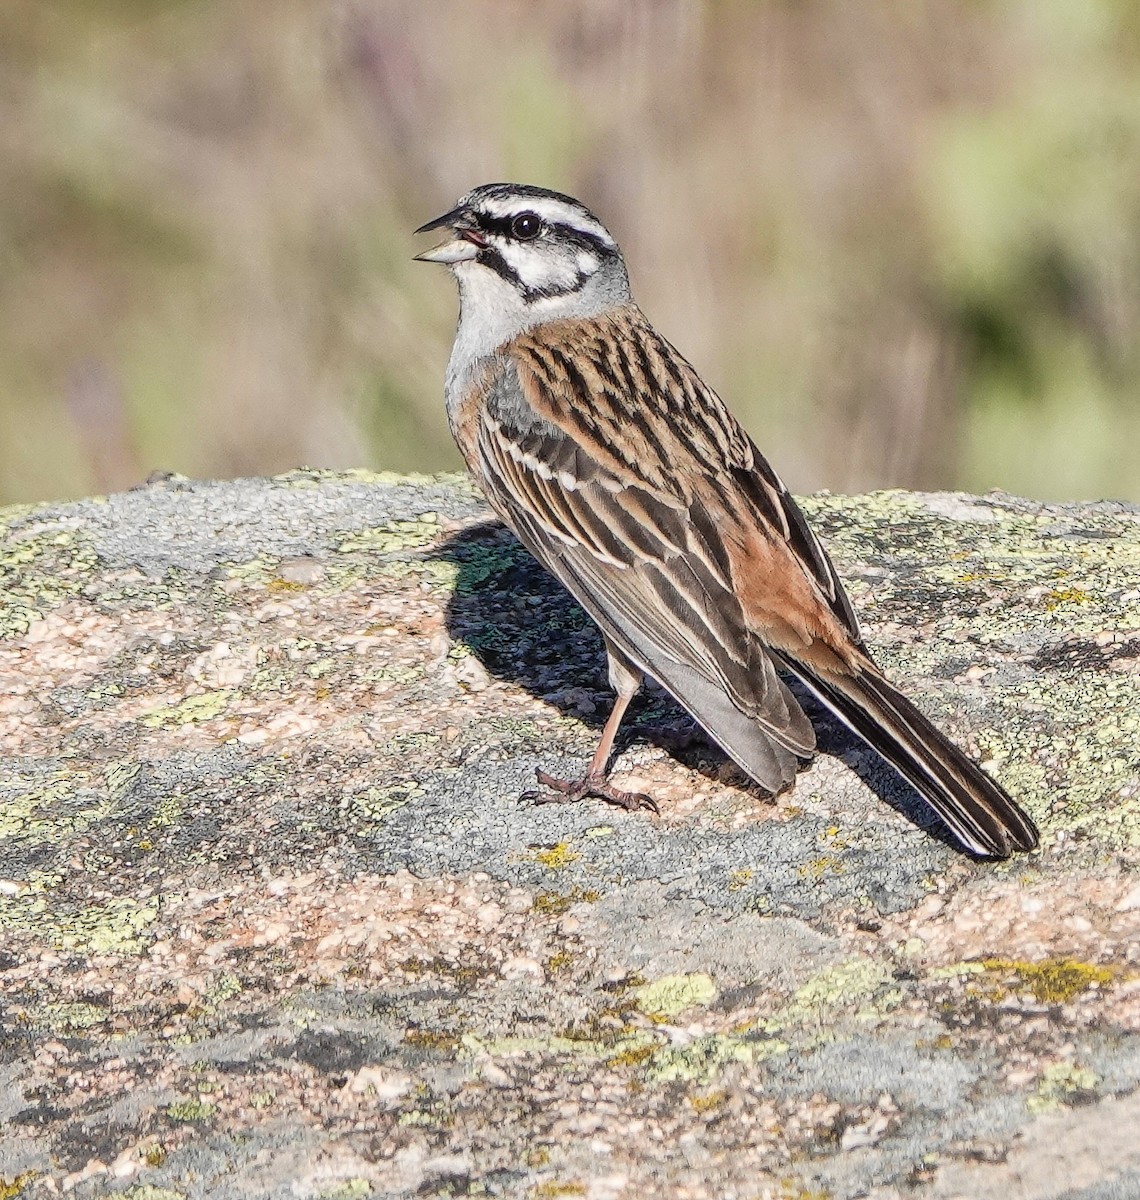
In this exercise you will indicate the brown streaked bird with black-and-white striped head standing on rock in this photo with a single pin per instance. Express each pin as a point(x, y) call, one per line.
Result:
point(628, 478)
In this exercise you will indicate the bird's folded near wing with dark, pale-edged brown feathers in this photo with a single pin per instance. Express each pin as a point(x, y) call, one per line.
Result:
point(650, 573)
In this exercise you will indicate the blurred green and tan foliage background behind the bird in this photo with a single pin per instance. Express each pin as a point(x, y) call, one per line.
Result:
point(901, 237)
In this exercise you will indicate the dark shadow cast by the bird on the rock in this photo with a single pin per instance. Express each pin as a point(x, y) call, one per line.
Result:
point(524, 627)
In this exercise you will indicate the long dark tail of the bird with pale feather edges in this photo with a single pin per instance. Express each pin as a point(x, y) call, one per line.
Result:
point(977, 811)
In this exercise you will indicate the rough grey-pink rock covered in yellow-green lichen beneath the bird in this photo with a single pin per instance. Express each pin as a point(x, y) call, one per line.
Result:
point(274, 922)
